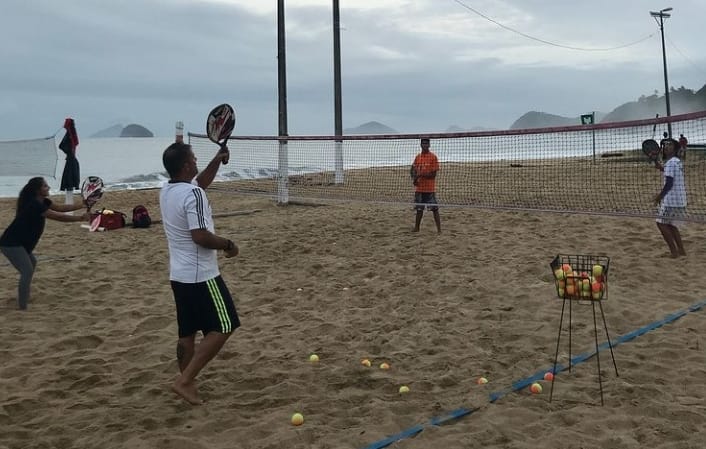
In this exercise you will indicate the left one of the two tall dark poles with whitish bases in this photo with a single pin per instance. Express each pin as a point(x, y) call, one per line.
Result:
point(283, 176)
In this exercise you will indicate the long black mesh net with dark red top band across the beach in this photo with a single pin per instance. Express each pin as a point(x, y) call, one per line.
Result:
point(598, 169)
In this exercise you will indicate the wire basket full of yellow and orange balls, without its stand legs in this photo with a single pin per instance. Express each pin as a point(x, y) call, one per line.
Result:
point(581, 277)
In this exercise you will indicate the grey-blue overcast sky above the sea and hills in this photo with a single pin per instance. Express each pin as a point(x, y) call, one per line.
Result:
point(414, 65)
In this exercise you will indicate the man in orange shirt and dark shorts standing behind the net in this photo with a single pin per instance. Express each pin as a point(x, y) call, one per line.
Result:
point(424, 170)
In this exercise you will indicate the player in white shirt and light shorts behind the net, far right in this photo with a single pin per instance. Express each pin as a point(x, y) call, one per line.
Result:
point(672, 199)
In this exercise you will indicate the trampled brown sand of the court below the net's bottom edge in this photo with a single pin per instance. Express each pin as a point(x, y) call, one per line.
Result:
point(90, 364)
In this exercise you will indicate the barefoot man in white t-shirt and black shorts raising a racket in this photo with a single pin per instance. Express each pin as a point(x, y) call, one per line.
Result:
point(203, 302)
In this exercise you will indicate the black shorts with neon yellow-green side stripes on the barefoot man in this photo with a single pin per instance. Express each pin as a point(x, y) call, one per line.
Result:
point(204, 306)
